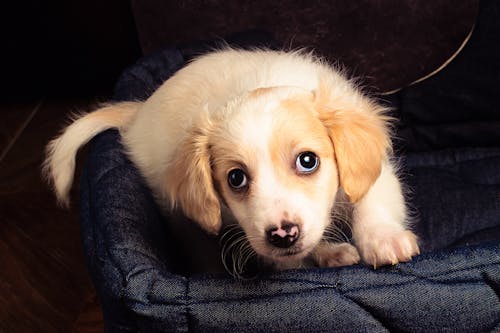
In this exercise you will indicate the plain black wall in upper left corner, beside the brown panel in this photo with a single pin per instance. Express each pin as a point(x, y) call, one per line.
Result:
point(62, 48)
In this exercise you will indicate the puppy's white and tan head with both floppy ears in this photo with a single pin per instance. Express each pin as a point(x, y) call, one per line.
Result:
point(276, 157)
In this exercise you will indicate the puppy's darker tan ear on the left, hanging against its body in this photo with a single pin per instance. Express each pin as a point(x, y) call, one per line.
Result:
point(189, 183)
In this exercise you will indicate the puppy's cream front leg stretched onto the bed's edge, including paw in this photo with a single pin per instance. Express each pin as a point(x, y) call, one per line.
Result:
point(379, 223)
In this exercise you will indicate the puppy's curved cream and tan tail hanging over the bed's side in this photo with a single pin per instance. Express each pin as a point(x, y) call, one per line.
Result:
point(59, 165)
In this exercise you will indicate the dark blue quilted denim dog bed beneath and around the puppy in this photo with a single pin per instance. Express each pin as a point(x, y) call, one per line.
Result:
point(449, 143)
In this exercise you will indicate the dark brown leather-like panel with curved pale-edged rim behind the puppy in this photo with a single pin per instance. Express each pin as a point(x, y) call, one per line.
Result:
point(387, 44)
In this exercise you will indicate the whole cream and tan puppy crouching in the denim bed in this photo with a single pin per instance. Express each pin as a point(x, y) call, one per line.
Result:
point(276, 142)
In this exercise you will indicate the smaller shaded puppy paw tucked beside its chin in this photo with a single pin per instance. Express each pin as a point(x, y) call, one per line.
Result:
point(335, 255)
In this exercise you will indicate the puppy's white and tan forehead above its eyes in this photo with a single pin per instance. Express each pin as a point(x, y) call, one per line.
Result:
point(276, 123)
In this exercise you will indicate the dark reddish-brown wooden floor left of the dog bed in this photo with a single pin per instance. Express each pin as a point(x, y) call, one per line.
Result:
point(44, 285)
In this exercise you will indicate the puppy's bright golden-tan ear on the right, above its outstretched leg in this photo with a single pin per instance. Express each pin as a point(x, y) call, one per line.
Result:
point(359, 131)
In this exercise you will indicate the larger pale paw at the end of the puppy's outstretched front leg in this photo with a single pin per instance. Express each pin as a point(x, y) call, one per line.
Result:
point(388, 247)
